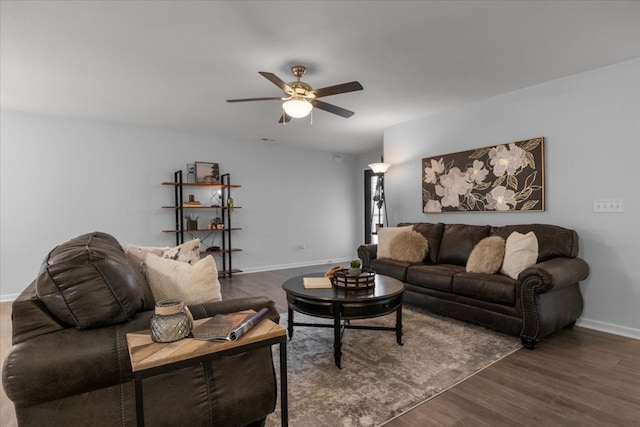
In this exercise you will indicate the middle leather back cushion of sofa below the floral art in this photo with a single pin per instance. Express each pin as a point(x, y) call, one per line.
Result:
point(458, 240)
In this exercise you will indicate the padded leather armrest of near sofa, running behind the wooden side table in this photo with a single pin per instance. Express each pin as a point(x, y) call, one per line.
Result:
point(73, 361)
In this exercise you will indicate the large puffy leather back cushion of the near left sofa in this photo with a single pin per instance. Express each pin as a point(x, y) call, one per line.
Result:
point(88, 282)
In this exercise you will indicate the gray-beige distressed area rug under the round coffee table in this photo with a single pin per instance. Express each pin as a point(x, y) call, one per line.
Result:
point(380, 379)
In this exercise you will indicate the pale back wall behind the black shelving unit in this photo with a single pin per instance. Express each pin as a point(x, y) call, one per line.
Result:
point(61, 178)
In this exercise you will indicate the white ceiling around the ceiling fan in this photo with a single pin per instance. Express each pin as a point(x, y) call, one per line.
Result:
point(172, 64)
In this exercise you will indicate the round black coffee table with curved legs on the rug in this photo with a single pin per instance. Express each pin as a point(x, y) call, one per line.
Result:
point(343, 305)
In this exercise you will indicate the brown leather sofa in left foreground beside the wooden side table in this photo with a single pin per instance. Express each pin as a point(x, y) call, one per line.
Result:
point(69, 364)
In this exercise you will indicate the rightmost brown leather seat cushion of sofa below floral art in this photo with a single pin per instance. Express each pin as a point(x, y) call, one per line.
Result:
point(486, 287)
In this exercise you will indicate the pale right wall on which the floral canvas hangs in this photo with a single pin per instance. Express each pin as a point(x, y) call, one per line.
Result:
point(591, 125)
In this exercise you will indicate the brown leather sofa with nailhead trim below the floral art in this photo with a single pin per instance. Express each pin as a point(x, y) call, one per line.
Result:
point(544, 298)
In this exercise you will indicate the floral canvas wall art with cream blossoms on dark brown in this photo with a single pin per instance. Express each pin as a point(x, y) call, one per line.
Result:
point(504, 177)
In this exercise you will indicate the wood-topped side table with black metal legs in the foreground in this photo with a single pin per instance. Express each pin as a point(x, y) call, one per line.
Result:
point(149, 359)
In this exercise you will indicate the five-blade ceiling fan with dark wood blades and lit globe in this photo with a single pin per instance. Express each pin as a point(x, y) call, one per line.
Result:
point(300, 97)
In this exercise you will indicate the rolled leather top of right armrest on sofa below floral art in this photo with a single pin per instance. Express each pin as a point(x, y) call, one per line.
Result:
point(555, 274)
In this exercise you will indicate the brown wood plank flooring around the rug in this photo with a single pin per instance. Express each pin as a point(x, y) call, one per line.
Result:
point(576, 377)
